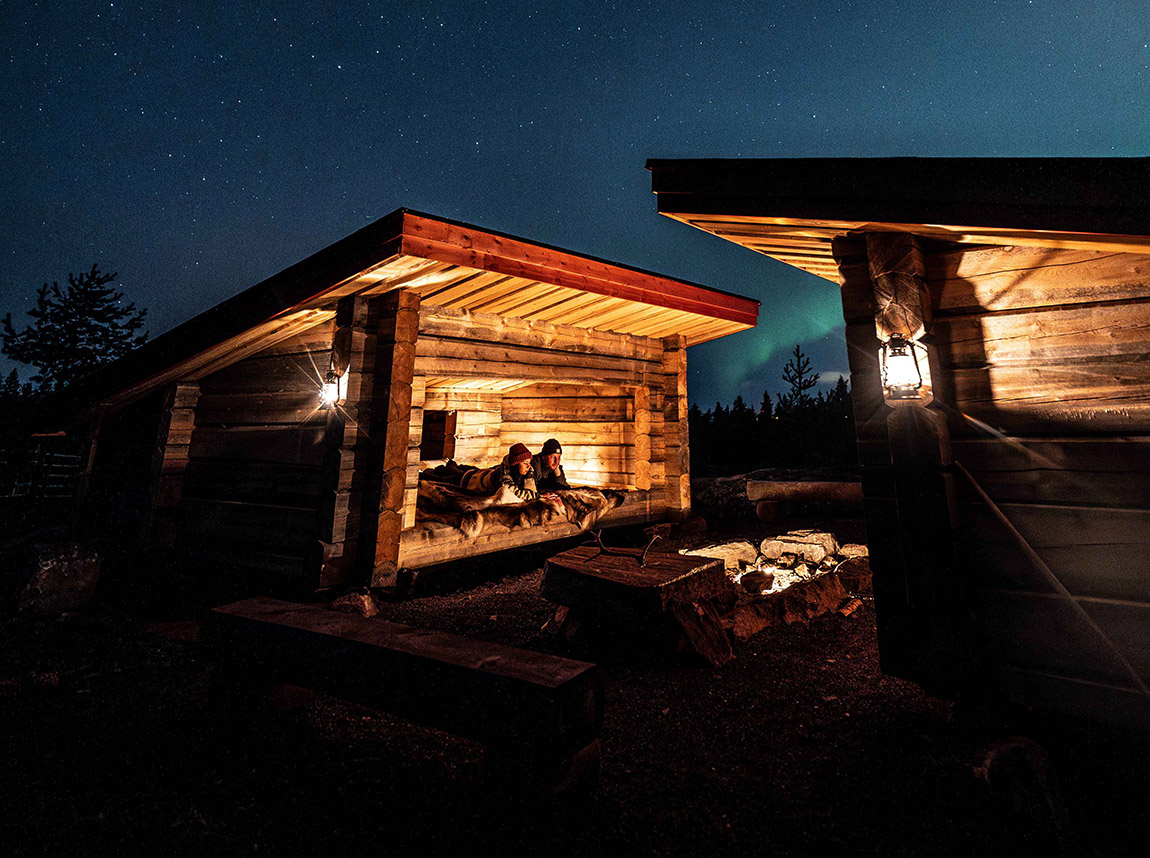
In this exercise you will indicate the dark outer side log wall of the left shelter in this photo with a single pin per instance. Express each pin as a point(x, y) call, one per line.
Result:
point(255, 496)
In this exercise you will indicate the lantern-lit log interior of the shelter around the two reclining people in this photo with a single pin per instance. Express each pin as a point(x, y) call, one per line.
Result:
point(510, 380)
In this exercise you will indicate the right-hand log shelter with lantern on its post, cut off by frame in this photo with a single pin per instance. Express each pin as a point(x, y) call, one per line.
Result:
point(1007, 479)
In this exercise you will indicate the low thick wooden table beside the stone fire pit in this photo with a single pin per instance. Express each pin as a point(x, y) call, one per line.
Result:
point(635, 585)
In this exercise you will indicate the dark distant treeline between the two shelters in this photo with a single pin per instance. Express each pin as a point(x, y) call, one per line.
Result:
point(796, 431)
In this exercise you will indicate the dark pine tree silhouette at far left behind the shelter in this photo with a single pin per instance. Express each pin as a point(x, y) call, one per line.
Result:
point(75, 330)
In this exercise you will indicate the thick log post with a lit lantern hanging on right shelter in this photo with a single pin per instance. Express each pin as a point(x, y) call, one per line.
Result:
point(904, 454)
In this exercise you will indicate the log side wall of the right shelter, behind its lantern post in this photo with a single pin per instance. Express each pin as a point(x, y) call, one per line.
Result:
point(1044, 380)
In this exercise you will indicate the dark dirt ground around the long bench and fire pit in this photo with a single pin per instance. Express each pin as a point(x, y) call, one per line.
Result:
point(799, 747)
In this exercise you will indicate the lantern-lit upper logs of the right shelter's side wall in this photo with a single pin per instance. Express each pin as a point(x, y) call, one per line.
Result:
point(1046, 342)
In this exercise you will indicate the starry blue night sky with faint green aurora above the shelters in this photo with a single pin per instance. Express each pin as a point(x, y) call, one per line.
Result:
point(197, 148)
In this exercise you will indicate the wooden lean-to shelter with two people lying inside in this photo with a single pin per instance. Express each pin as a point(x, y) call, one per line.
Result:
point(446, 342)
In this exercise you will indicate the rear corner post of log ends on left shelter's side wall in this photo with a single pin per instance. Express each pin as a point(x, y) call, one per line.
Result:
point(174, 439)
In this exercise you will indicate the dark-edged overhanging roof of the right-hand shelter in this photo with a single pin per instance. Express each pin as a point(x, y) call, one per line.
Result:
point(793, 209)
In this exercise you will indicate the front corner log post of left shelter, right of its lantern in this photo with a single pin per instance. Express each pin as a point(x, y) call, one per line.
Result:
point(373, 456)
